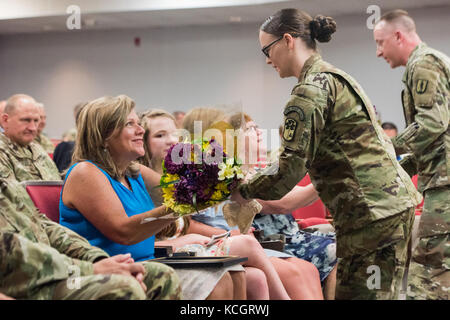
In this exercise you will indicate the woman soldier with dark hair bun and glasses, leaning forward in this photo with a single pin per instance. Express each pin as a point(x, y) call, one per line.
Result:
point(330, 130)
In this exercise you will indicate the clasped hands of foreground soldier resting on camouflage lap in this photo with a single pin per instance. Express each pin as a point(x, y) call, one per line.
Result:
point(121, 264)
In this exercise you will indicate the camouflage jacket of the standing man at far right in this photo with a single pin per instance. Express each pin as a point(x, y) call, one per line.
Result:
point(426, 104)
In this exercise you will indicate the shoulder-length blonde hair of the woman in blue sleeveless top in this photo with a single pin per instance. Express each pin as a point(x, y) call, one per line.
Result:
point(98, 121)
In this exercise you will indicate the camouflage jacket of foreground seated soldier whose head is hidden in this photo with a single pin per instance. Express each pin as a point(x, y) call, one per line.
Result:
point(34, 251)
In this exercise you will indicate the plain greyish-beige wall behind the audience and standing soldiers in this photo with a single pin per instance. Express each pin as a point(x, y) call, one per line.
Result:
point(180, 68)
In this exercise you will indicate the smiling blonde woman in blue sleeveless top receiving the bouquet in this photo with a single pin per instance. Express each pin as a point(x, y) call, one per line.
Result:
point(106, 196)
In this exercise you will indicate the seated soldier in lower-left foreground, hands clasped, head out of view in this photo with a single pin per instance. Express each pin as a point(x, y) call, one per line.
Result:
point(40, 259)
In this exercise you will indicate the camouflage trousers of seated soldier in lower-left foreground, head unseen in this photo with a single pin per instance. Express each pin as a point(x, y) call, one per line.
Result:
point(162, 284)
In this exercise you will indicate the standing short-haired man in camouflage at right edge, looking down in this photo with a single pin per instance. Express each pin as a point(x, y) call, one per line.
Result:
point(426, 105)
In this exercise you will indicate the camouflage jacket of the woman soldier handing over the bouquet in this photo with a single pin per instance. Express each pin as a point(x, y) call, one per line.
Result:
point(330, 131)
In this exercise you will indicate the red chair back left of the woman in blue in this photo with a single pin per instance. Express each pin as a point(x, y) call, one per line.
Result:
point(45, 196)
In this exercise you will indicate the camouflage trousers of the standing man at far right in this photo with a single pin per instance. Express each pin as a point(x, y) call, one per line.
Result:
point(429, 271)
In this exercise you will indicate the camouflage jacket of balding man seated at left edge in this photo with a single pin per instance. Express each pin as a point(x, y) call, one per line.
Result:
point(27, 163)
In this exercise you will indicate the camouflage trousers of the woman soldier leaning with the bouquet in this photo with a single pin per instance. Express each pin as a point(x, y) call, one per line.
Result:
point(375, 258)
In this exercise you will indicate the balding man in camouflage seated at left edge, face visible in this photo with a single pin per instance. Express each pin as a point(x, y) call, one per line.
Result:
point(25, 159)
